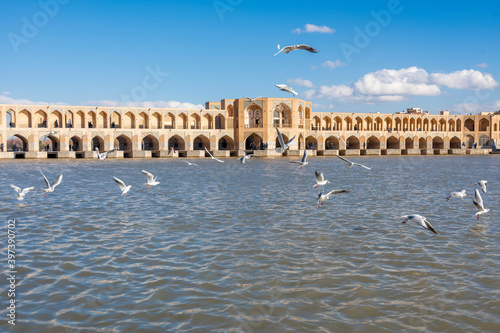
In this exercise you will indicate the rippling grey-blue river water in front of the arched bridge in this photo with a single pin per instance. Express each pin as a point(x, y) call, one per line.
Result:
point(227, 247)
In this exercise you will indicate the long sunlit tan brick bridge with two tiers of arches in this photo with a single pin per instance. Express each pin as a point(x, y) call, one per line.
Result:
point(233, 127)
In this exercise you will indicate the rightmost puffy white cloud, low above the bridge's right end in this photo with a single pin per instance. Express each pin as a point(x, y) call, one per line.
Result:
point(465, 79)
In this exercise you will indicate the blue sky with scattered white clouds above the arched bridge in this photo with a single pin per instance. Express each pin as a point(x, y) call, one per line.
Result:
point(374, 56)
